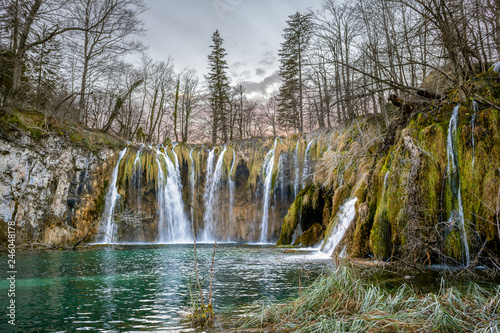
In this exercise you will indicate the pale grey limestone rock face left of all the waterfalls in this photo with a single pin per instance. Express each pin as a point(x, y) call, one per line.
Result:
point(52, 188)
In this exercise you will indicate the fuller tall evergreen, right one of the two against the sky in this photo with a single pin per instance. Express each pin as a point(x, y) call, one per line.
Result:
point(292, 53)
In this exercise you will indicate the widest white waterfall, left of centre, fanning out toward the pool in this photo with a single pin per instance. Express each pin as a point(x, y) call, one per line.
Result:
point(173, 224)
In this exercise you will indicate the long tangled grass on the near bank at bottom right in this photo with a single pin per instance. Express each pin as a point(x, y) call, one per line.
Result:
point(341, 302)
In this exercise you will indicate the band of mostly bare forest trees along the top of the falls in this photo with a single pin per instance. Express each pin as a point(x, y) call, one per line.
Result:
point(82, 60)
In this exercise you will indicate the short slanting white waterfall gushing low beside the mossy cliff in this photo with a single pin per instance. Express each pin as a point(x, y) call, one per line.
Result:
point(345, 216)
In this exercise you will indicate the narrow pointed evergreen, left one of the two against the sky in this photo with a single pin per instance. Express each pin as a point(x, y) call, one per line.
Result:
point(218, 86)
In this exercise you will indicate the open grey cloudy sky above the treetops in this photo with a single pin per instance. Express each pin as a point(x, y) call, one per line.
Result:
point(251, 29)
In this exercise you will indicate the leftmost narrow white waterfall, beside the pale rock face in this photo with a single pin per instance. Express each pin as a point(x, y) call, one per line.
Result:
point(110, 203)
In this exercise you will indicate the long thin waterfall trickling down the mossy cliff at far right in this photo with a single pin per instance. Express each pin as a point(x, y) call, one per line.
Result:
point(454, 178)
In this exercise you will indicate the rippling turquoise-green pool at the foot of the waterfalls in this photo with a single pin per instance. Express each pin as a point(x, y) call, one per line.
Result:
point(146, 288)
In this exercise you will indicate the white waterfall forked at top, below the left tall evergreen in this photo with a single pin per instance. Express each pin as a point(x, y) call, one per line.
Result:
point(211, 195)
